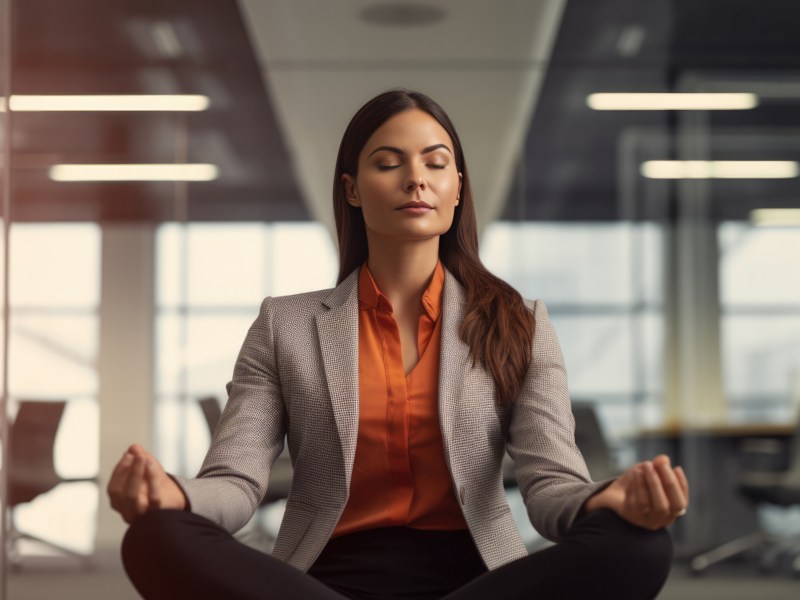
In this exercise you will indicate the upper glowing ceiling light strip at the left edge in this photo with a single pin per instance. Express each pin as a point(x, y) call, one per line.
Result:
point(131, 103)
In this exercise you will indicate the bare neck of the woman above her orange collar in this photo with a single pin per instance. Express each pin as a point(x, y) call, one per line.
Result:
point(403, 270)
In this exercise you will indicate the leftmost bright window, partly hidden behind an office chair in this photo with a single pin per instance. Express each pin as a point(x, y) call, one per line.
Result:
point(54, 286)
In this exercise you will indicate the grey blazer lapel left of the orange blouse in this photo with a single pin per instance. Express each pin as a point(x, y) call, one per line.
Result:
point(338, 340)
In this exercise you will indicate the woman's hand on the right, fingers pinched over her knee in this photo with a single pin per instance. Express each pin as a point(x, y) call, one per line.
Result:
point(651, 494)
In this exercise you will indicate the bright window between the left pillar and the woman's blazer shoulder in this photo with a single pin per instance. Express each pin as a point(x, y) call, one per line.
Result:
point(211, 279)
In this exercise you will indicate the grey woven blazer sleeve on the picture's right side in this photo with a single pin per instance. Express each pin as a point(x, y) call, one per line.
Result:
point(551, 472)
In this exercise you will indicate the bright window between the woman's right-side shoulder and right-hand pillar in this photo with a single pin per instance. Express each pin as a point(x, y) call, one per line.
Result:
point(603, 287)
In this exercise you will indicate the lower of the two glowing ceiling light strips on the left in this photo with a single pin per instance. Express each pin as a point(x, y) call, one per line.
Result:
point(134, 172)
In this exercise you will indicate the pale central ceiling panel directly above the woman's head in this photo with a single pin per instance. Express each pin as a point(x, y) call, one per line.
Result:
point(483, 61)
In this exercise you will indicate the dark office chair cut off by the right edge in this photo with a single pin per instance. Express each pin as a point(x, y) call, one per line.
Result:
point(776, 488)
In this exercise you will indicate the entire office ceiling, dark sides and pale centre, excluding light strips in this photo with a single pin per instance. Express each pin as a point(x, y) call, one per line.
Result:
point(284, 76)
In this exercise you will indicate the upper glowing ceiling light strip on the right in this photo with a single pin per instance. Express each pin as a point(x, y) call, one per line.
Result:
point(677, 101)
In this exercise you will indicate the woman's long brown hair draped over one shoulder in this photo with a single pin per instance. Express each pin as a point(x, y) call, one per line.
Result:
point(497, 326)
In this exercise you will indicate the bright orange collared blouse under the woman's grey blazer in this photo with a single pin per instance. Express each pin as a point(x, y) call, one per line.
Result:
point(400, 474)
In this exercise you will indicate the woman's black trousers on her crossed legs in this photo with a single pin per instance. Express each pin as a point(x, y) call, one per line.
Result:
point(176, 554)
